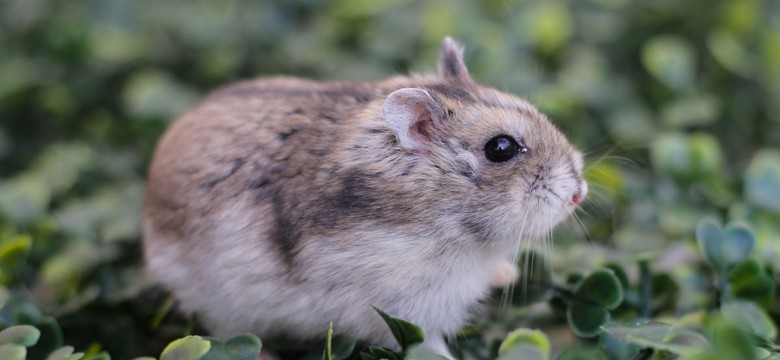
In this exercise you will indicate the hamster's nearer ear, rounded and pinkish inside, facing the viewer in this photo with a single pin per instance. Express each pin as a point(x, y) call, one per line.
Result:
point(412, 115)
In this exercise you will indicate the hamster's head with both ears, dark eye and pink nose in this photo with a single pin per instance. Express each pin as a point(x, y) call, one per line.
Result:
point(509, 169)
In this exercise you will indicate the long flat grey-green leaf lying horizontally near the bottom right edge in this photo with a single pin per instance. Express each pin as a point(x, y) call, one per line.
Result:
point(661, 336)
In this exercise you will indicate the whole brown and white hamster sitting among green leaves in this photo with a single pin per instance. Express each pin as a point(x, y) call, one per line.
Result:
point(279, 205)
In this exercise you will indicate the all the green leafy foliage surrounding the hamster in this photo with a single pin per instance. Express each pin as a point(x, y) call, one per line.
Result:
point(677, 104)
